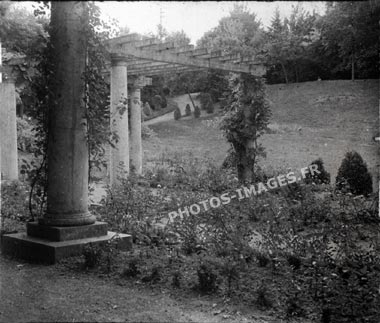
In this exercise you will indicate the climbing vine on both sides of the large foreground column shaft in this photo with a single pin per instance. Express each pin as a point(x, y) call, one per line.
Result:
point(38, 94)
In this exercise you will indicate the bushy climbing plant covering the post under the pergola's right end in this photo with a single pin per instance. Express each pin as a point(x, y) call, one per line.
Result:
point(245, 121)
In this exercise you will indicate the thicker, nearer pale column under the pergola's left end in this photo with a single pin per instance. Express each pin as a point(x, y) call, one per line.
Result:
point(119, 156)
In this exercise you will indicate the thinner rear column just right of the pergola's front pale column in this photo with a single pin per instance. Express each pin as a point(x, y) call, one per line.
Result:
point(136, 146)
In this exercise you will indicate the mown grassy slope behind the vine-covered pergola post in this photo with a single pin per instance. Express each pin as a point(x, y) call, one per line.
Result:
point(310, 120)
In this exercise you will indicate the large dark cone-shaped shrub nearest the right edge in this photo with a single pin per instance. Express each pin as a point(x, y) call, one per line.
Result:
point(353, 175)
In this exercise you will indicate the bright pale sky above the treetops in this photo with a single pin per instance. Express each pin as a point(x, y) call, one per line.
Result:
point(193, 17)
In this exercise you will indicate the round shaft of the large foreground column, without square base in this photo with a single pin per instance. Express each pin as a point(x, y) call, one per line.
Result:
point(67, 193)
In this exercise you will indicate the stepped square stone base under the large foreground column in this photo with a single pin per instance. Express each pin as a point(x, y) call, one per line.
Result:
point(45, 244)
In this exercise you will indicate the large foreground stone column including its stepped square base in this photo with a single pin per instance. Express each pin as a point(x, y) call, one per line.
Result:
point(67, 227)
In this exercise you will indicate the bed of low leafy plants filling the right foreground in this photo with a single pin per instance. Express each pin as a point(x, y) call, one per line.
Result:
point(302, 250)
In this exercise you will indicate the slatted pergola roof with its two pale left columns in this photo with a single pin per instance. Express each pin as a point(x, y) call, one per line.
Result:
point(135, 58)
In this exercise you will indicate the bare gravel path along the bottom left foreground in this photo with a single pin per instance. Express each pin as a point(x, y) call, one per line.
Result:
point(36, 293)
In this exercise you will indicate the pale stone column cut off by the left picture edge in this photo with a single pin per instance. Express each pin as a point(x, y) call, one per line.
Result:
point(8, 132)
